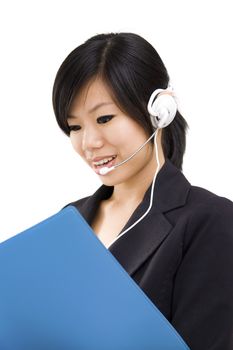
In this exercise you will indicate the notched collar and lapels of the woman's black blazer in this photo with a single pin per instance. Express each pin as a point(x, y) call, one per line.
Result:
point(135, 246)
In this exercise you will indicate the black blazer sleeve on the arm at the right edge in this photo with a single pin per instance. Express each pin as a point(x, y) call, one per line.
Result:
point(202, 306)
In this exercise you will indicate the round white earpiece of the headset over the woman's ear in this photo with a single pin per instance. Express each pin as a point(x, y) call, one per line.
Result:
point(162, 108)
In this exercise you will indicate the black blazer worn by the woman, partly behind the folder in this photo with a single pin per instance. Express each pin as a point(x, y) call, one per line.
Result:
point(181, 255)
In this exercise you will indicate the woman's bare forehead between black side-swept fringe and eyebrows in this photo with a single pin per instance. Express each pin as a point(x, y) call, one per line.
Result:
point(93, 95)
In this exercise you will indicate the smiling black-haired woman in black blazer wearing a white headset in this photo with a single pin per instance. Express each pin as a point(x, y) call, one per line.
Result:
point(175, 240)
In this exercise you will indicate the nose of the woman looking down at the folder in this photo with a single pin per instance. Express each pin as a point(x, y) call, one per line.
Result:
point(91, 139)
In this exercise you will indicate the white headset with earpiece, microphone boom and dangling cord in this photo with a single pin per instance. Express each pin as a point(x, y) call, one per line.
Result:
point(162, 108)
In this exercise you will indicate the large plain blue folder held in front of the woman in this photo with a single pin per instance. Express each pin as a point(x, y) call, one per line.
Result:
point(61, 289)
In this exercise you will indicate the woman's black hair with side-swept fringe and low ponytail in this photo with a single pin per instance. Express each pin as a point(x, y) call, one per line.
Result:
point(132, 69)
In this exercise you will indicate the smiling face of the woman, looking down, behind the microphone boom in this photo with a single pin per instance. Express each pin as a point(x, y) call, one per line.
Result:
point(100, 130)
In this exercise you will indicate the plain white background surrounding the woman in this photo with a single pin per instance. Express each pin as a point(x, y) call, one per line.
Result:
point(39, 171)
